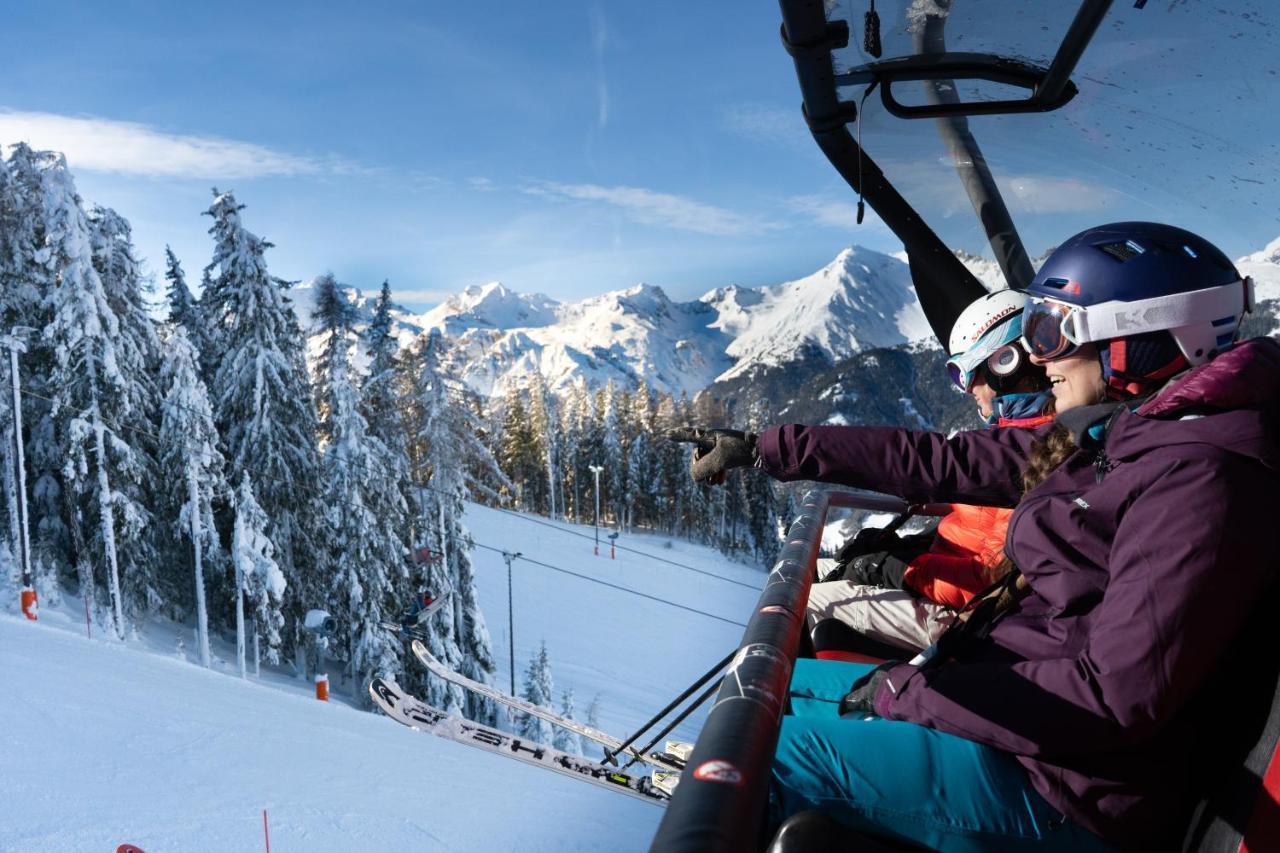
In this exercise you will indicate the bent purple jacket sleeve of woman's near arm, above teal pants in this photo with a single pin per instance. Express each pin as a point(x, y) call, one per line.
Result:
point(1187, 560)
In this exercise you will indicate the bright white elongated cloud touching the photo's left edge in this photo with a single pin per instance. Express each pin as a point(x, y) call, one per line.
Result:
point(129, 148)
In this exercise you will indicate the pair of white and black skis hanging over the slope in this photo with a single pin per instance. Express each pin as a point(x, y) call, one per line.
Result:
point(414, 713)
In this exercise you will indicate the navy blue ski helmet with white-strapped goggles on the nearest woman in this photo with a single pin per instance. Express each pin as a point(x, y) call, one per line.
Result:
point(1162, 298)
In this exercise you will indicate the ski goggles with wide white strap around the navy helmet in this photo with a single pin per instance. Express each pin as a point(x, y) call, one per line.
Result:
point(1057, 330)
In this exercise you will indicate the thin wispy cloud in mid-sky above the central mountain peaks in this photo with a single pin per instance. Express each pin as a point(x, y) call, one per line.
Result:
point(659, 208)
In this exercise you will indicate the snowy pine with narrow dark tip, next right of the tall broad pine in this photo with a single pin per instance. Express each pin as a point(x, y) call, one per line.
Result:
point(368, 517)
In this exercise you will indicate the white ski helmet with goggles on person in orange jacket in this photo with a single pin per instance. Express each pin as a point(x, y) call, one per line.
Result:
point(988, 334)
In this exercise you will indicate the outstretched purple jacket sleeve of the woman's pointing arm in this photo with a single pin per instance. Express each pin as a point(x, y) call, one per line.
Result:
point(973, 467)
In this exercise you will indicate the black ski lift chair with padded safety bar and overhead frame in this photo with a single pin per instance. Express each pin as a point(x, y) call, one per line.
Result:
point(721, 804)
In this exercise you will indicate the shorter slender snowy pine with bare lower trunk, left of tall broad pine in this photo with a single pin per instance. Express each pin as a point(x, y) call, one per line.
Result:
point(191, 473)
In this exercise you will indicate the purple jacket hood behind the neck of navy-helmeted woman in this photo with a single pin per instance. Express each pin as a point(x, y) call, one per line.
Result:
point(1232, 403)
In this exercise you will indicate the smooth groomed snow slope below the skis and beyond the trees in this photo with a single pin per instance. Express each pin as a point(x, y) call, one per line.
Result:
point(106, 743)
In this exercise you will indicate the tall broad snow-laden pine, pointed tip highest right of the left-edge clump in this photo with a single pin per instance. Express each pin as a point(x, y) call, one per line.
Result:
point(262, 399)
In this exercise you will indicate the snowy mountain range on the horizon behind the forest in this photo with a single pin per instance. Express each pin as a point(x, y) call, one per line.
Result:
point(861, 300)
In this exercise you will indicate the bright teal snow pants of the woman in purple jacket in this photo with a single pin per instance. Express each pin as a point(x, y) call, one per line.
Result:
point(902, 781)
